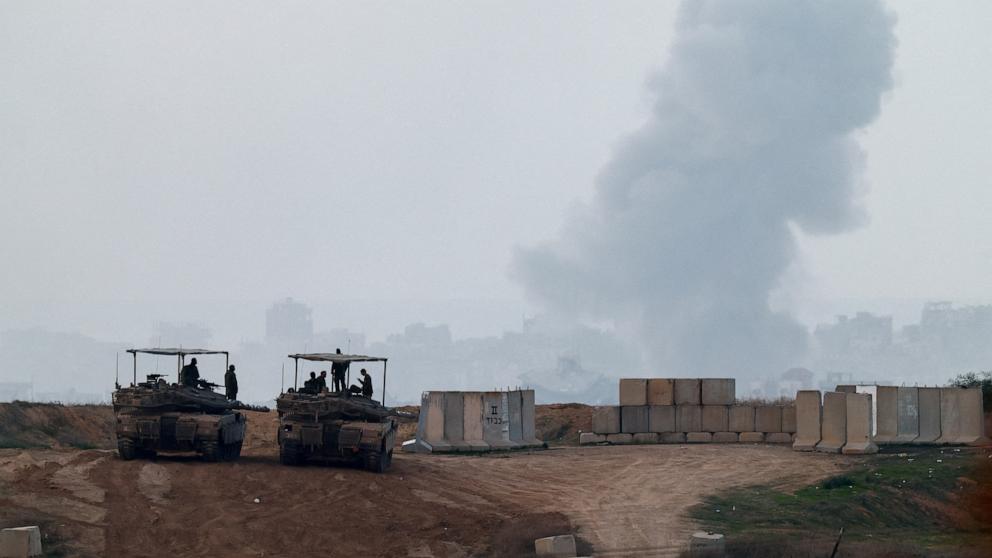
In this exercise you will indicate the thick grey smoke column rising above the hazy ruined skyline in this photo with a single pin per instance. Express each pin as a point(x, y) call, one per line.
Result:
point(689, 230)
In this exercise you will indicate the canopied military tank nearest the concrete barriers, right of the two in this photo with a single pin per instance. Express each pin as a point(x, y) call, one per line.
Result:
point(335, 426)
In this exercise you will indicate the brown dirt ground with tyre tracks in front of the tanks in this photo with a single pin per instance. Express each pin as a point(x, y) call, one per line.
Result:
point(621, 500)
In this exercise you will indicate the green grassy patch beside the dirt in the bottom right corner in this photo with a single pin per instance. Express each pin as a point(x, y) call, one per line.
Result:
point(908, 496)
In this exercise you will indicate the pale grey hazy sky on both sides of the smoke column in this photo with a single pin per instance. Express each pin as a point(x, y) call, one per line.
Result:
point(254, 150)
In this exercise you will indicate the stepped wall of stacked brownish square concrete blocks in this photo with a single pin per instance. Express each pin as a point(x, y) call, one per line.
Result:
point(688, 410)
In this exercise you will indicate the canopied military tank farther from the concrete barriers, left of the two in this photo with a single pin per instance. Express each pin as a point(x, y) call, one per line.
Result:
point(155, 415)
